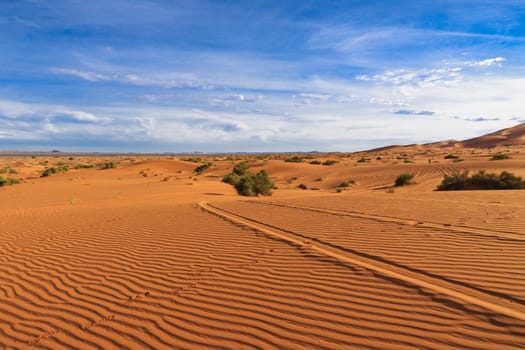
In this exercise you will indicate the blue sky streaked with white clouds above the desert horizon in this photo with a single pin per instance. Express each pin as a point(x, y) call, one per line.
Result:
point(224, 76)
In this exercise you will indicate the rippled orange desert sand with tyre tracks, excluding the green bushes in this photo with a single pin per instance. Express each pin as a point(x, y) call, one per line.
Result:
point(150, 255)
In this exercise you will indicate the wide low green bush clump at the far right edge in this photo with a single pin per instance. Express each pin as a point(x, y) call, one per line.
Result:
point(481, 181)
